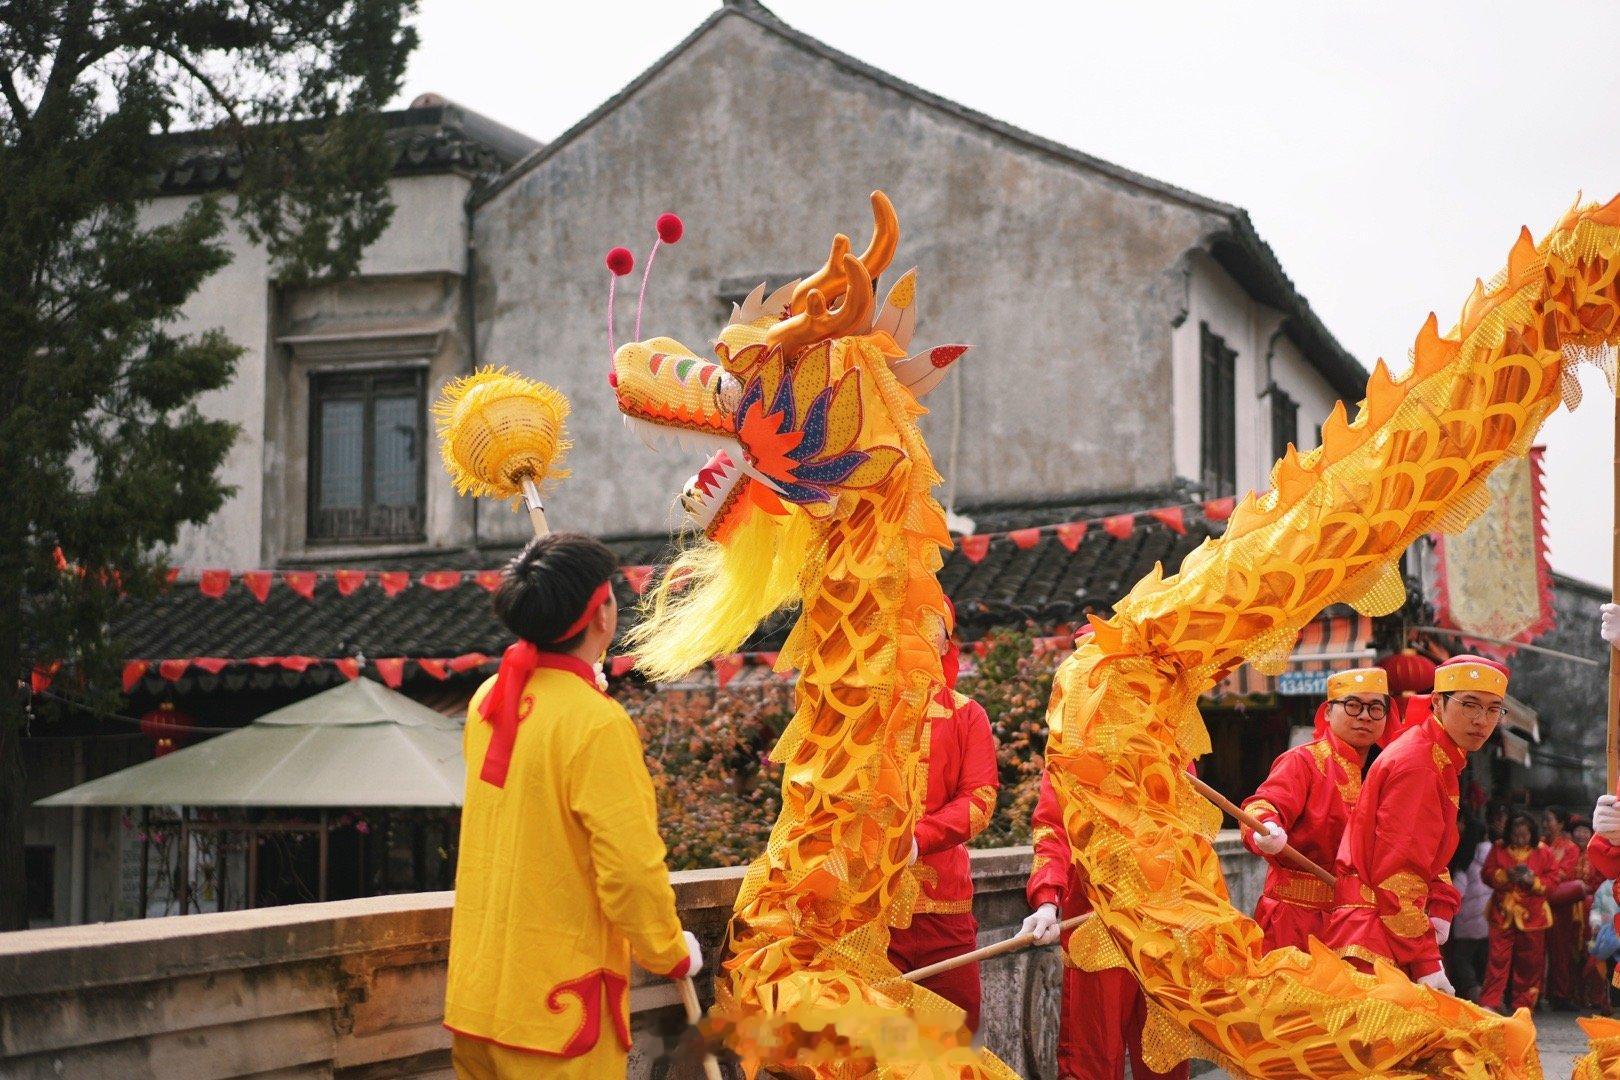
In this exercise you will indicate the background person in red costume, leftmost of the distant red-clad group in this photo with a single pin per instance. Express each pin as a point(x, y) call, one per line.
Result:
point(1519, 872)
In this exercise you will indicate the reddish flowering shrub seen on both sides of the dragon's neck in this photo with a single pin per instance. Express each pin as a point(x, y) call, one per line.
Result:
point(718, 793)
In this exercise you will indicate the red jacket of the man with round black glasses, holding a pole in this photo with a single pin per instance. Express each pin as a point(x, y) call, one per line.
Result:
point(1310, 796)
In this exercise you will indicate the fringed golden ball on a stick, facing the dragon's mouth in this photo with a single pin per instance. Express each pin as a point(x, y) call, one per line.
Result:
point(503, 436)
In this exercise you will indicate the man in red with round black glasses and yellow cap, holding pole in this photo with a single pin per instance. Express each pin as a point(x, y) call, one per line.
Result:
point(1307, 802)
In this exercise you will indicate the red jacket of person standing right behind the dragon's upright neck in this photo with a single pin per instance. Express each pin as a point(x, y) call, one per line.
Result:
point(960, 755)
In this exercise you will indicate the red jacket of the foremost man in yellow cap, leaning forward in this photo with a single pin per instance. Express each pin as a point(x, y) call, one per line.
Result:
point(1392, 864)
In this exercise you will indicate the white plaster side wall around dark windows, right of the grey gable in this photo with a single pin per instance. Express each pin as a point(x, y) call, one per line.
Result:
point(1248, 328)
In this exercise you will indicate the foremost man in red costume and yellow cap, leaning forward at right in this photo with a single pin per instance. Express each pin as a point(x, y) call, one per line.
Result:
point(1396, 898)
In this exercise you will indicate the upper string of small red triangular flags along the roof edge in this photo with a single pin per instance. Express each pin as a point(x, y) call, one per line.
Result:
point(216, 584)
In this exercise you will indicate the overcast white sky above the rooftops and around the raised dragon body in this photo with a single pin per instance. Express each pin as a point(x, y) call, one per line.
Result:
point(1388, 151)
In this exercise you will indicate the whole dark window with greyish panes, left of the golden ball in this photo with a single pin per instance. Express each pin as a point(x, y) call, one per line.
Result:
point(367, 435)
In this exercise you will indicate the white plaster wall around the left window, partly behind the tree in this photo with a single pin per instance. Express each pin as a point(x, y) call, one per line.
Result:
point(428, 234)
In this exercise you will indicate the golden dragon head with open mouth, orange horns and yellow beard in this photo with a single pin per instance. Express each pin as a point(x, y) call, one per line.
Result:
point(808, 410)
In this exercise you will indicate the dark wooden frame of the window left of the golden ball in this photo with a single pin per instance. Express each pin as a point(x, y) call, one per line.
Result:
point(367, 386)
